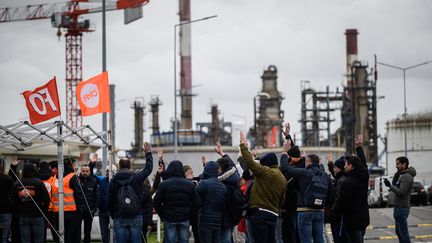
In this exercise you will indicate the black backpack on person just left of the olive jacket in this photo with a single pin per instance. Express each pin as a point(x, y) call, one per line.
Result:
point(235, 206)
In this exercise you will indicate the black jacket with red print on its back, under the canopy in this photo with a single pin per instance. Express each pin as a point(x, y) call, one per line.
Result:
point(21, 197)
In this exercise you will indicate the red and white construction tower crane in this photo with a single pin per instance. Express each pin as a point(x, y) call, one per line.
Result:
point(66, 16)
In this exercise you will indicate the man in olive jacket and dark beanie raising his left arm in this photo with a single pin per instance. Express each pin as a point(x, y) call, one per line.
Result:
point(267, 193)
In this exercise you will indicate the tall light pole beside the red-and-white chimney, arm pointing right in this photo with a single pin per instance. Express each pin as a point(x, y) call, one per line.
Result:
point(175, 77)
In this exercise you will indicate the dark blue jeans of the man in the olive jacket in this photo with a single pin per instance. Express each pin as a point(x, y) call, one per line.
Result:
point(263, 226)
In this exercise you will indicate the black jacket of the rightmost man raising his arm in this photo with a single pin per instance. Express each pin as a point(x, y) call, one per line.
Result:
point(351, 203)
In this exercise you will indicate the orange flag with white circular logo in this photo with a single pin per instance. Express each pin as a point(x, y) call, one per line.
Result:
point(93, 95)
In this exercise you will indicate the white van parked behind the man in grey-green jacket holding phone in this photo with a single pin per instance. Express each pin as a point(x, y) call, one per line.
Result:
point(378, 192)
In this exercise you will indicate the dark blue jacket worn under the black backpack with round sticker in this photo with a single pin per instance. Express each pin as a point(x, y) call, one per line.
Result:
point(121, 178)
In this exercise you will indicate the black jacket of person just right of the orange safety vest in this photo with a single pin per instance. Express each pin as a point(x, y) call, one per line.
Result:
point(90, 188)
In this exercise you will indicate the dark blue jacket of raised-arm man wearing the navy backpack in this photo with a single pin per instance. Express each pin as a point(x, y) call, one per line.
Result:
point(303, 176)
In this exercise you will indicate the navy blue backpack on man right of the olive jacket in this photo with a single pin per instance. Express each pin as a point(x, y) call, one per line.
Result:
point(316, 192)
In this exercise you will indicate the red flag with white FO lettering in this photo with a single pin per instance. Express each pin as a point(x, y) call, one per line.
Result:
point(43, 103)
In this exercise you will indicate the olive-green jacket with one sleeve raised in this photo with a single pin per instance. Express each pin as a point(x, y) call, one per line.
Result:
point(268, 191)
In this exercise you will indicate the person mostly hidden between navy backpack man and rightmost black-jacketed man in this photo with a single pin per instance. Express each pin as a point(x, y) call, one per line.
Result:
point(338, 173)
